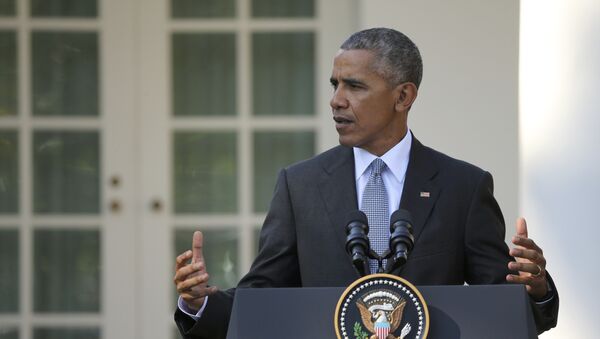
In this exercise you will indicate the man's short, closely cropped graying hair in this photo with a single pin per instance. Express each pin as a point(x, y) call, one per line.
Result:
point(397, 58)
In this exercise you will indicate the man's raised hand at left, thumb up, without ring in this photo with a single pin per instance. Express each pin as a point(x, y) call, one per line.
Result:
point(191, 278)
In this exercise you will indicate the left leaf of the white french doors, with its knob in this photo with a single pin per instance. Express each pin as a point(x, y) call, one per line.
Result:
point(67, 134)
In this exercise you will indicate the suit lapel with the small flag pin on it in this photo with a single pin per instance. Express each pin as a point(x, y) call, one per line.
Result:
point(420, 191)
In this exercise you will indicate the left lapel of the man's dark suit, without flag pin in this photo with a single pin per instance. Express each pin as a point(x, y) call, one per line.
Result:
point(338, 189)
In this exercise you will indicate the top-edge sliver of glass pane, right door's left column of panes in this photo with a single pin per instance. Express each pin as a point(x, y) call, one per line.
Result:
point(202, 8)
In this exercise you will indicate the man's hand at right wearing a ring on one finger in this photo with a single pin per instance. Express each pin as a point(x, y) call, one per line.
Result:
point(530, 263)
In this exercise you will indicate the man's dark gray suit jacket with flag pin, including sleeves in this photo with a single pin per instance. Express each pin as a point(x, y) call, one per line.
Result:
point(458, 229)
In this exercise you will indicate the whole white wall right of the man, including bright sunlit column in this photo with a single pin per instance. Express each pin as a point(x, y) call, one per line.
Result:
point(468, 109)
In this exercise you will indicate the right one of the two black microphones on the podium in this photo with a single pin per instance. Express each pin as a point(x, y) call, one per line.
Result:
point(401, 238)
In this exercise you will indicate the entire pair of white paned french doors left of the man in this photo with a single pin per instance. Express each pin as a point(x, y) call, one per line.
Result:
point(127, 124)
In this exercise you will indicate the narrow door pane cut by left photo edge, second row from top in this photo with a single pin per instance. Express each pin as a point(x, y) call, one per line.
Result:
point(8, 73)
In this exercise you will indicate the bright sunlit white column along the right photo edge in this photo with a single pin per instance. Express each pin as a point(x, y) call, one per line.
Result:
point(560, 158)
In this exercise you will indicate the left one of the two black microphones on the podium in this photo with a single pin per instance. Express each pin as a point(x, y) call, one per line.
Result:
point(357, 242)
